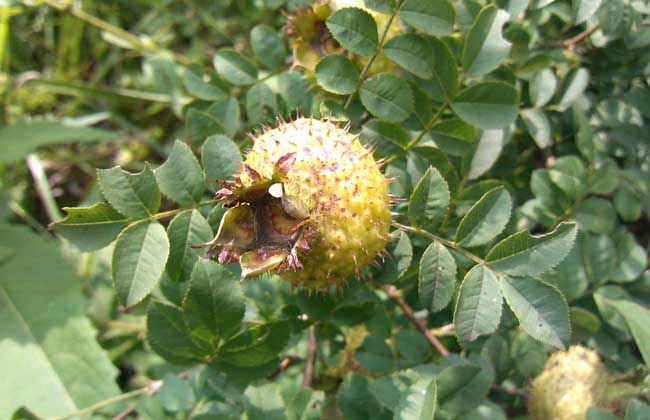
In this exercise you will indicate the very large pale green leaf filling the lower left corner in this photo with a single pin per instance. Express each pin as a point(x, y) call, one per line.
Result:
point(50, 360)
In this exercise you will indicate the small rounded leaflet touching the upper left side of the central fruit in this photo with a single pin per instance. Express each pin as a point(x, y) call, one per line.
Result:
point(220, 157)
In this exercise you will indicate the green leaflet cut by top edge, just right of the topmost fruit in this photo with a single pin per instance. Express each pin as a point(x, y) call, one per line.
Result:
point(433, 17)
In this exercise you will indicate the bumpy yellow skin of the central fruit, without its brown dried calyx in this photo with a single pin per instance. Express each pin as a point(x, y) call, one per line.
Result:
point(346, 193)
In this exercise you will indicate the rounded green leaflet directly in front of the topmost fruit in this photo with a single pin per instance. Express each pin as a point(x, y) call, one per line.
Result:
point(355, 30)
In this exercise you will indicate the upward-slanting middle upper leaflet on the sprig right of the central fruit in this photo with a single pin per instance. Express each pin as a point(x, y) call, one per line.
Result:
point(486, 219)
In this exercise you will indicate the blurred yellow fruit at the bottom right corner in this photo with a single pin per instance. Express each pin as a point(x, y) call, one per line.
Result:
point(570, 383)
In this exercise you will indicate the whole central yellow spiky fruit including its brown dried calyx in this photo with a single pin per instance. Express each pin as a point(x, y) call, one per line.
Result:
point(310, 203)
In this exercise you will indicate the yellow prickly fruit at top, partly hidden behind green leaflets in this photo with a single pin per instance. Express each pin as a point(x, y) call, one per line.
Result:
point(311, 40)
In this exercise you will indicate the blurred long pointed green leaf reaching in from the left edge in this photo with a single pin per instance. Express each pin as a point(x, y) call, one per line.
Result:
point(19, 140)
